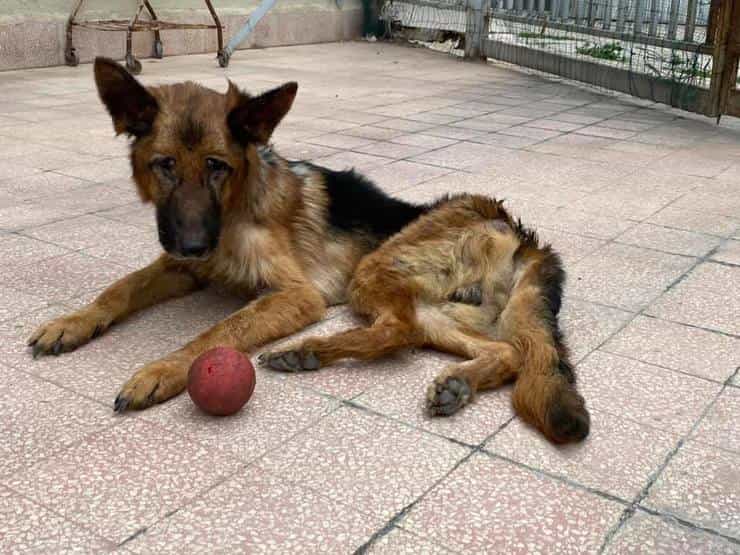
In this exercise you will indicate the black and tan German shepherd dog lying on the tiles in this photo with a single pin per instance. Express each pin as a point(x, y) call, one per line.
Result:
point(459, 275)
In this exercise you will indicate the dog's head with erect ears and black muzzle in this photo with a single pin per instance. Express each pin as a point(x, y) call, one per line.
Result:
point(191, 149)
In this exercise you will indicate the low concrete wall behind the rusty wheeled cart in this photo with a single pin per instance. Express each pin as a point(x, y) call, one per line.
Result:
point(32, 32)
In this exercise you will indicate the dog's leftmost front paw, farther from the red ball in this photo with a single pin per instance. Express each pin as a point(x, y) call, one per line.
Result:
point(67, 333)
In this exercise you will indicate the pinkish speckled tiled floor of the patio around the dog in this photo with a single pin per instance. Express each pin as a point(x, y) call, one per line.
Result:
point(642, 201)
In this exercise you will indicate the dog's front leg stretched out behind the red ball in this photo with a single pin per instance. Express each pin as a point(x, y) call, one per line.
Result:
point(266, 319)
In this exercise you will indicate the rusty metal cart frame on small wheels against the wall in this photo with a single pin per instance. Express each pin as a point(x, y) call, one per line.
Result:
point(135, 25)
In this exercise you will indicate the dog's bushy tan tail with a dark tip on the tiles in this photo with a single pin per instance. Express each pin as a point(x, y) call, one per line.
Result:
point(545, 394)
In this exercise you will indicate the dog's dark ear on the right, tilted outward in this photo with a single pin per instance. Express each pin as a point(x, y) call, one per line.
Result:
point(254, 118)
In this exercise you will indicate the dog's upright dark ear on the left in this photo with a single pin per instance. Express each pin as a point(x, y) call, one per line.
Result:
point(131, 106)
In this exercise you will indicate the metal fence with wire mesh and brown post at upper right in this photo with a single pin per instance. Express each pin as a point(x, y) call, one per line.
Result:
point(678, 52)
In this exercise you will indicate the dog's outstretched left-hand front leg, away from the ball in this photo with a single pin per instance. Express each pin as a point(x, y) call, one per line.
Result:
point(162, 280)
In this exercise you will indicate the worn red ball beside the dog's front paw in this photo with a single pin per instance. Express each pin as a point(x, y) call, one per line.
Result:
point(221, 381)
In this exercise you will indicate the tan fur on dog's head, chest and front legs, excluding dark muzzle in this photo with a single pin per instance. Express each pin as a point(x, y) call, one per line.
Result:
point(275, 238)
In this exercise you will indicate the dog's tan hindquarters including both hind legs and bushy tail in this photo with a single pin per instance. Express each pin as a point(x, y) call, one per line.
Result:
point(405, 287)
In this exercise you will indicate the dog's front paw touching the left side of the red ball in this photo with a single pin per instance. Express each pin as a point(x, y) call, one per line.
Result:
point(154, 383)
